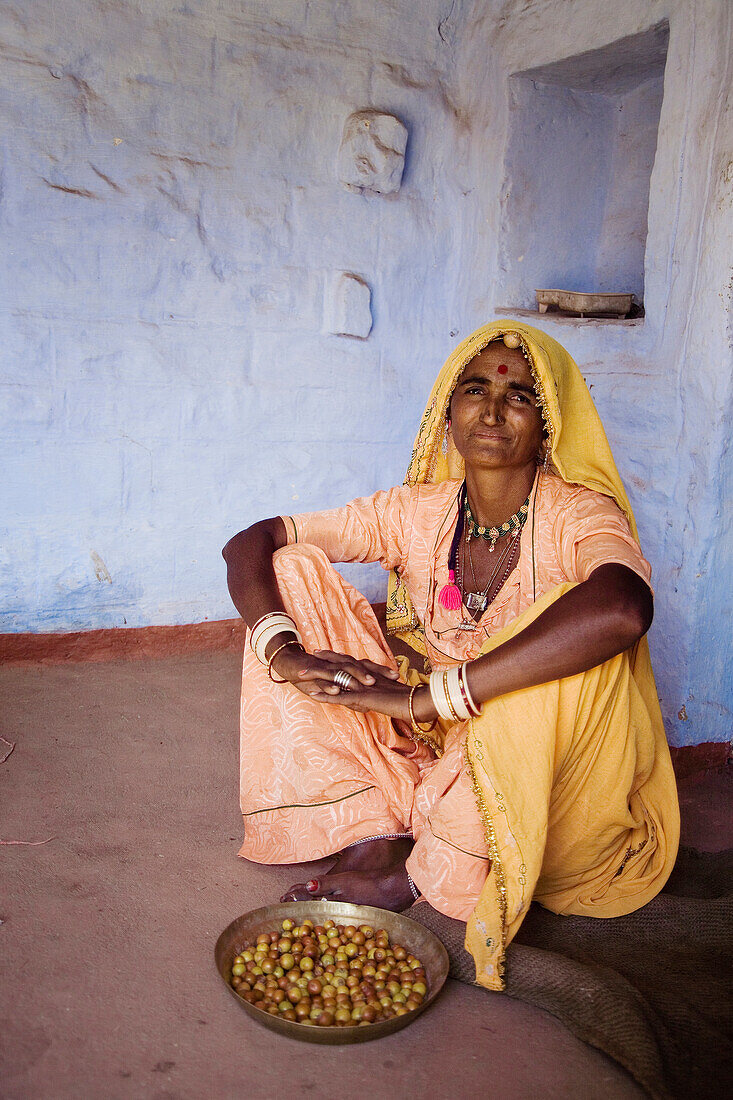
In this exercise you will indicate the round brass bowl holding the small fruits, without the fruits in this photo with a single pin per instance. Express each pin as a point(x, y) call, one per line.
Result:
point(418, 940)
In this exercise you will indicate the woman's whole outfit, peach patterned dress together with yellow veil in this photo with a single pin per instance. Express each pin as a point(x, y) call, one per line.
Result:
point(563, 793)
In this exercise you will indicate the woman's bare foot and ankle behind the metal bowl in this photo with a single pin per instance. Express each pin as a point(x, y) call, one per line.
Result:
point(371, 874)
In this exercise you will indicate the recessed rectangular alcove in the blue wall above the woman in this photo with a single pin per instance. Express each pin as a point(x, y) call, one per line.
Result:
point(582, 147)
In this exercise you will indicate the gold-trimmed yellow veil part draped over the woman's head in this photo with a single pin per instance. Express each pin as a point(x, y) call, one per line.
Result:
point(578, 448)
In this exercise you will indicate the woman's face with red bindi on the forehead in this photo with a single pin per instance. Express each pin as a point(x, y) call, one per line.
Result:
point(496, 420)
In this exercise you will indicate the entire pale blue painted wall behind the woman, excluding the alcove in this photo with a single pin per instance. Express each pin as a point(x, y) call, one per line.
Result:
point(171, 221)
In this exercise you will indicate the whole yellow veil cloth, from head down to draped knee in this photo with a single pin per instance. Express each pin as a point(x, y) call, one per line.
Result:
point(583, 763)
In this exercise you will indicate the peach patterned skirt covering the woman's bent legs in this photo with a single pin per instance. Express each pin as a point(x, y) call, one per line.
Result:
point(315, 778)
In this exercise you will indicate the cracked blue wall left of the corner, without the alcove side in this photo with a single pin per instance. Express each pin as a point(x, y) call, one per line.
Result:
point(172, 222)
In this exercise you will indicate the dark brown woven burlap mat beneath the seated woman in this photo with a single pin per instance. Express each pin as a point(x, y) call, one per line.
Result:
point(653, 991)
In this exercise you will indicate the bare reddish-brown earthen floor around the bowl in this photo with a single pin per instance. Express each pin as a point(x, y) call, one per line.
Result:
point(129, 772)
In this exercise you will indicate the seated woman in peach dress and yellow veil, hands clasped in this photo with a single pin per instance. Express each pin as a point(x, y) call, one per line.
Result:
point(532, 763)
